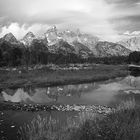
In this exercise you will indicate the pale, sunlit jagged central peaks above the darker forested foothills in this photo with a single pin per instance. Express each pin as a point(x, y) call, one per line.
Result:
point(53, 35)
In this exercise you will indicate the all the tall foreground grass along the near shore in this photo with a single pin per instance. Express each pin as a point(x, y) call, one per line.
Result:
point(122, 124)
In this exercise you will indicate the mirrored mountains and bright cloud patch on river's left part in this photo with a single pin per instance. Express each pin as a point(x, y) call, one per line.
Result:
point(46, 95)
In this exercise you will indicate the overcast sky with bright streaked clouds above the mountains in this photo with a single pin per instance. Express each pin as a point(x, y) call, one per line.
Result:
point(108, 19)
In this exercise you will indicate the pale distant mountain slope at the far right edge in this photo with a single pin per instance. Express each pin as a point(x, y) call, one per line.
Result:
point(132, 44)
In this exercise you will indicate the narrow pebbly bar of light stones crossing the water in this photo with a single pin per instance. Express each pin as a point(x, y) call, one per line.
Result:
point(5, 106)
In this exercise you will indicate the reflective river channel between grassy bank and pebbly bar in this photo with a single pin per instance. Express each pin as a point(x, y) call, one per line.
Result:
point(104, 93)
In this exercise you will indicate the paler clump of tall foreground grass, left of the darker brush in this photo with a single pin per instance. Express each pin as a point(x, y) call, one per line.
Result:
point(47, 128)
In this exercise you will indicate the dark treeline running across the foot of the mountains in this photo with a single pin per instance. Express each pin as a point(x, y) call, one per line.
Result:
point(37, 53)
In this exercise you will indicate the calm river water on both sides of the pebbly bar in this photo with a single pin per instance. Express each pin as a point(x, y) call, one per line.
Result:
point(108, 93)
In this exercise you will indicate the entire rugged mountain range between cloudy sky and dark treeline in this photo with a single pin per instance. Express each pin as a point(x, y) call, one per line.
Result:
point(73, 42)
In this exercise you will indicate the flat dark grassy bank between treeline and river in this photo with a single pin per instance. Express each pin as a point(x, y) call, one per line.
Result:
point(53, 77)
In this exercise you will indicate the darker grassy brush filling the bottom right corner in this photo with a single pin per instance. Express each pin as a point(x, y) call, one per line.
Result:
point(122, 124)
